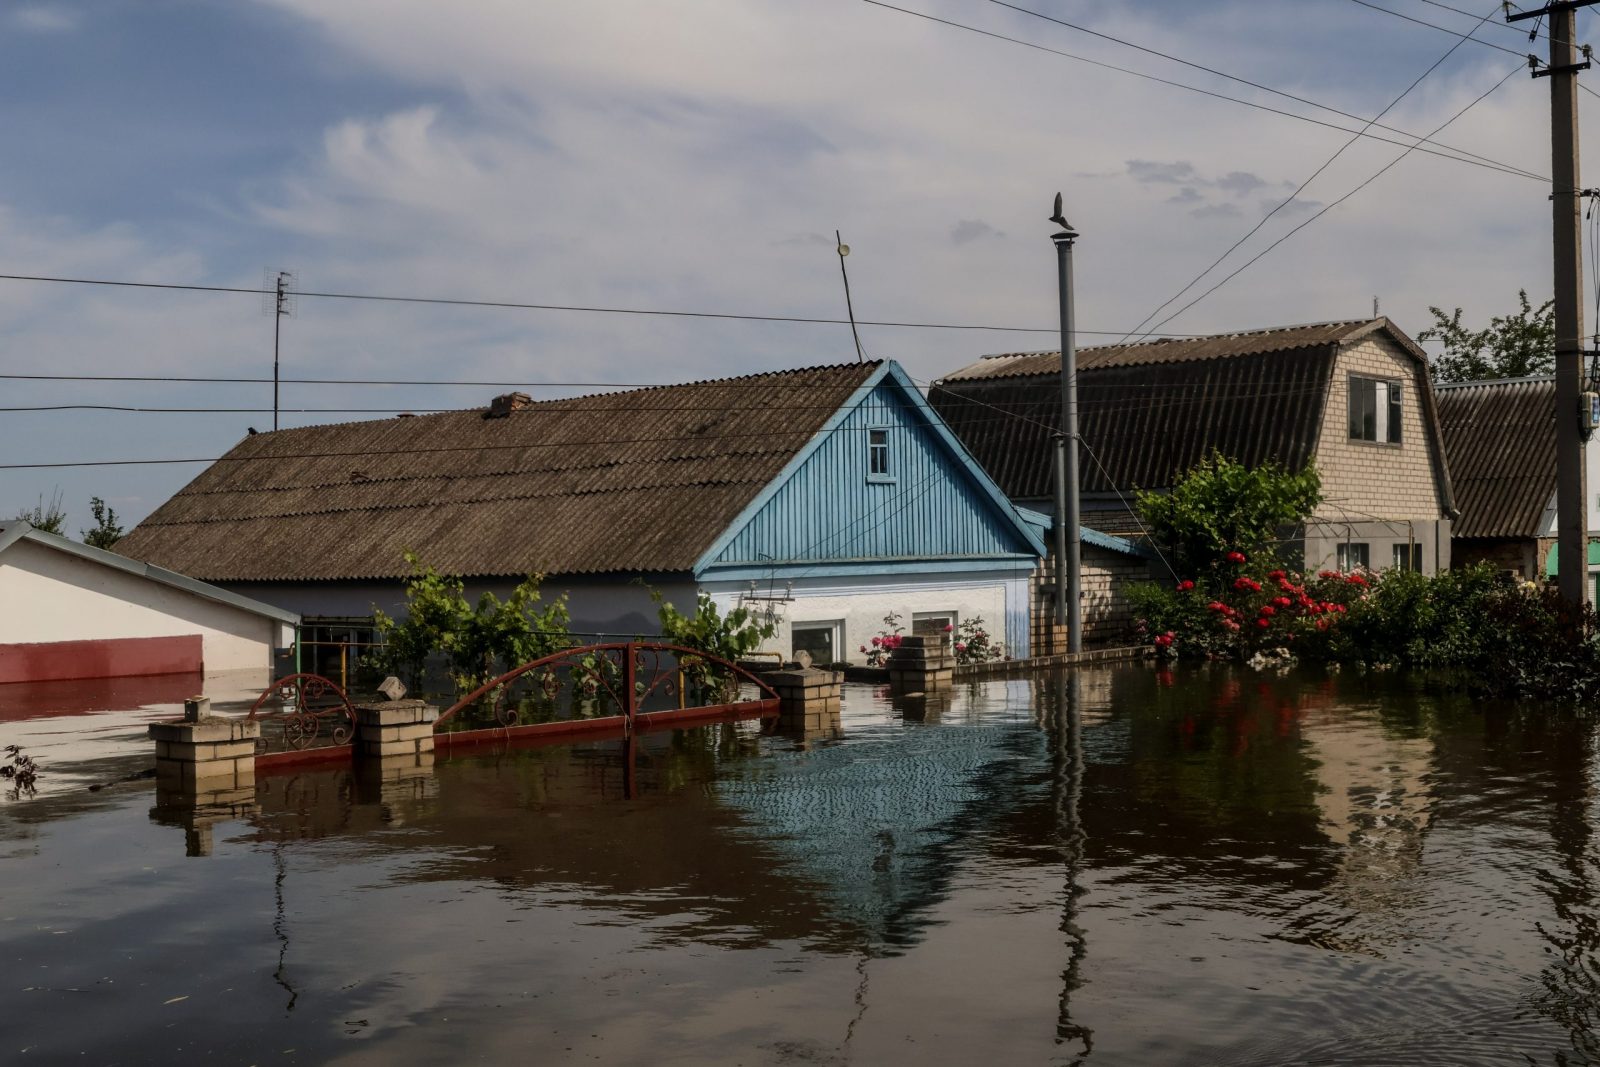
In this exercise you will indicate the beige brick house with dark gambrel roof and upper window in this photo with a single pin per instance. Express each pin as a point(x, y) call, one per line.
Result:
point(1351, 398)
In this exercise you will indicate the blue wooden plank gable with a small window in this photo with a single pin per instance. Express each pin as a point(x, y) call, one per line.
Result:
point(929, 503)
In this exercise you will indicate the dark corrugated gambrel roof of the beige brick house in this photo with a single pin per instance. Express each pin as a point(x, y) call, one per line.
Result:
point(1151, 412)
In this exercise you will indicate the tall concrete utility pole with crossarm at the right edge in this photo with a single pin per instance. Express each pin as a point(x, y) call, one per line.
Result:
point(1572, 498)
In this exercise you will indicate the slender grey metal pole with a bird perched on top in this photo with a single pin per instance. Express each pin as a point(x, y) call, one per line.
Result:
point(1070, 586)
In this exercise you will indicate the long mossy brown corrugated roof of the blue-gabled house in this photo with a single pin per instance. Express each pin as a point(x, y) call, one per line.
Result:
point(641, 481)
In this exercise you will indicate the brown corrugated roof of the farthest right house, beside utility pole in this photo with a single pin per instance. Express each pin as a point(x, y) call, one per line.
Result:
point(1500, 438)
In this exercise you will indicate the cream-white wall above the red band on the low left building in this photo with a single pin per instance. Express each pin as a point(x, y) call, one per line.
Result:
point(49, 596)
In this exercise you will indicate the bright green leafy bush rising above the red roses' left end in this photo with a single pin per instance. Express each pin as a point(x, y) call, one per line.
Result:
point(1225, 508)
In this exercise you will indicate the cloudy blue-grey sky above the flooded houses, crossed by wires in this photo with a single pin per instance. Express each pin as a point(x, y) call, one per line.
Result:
point(700, 156)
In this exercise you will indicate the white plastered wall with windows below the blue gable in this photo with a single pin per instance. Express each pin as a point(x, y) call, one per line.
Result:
point(862, 605)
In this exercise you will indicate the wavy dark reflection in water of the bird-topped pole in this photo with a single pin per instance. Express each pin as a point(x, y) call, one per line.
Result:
point(1066, 788)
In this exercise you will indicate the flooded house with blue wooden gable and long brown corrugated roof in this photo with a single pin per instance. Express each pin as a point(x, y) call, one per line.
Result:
point(828, 497)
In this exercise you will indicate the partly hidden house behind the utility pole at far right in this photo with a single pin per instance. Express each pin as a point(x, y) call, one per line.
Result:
point(1500, 438)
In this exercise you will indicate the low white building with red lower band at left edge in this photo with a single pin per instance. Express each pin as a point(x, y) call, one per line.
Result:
point(73, 612)
